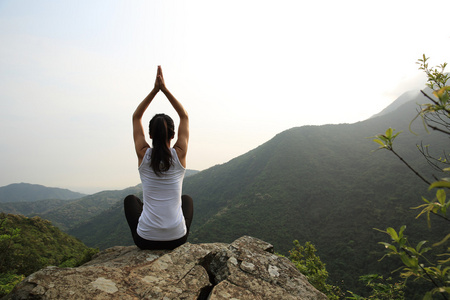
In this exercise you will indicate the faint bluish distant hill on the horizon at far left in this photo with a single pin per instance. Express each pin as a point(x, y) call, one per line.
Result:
point(25, 192)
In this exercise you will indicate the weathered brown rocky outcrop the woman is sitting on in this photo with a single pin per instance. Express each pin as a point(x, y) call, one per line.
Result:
point(244, 269)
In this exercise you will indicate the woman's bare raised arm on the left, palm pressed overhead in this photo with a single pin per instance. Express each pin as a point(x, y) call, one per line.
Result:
point(140, 143)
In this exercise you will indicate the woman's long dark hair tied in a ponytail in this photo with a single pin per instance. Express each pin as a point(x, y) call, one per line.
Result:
point(161, 131)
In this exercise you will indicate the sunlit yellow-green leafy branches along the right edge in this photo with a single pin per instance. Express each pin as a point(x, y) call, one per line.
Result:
point(434, 268)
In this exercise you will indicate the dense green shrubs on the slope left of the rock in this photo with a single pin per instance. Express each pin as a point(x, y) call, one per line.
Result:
point(29, 244)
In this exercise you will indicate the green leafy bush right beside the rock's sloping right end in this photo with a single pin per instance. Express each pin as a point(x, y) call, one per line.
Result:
point(310, 265)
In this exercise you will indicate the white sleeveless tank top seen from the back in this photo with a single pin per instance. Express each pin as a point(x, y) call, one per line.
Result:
point(162, 218)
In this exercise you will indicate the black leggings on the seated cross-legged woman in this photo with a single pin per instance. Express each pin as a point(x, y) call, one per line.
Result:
point(133, 209)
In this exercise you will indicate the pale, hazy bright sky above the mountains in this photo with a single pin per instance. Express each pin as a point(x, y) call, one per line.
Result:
point(73, 72)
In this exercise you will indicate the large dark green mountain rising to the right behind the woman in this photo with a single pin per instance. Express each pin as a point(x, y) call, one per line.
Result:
point(322, 184)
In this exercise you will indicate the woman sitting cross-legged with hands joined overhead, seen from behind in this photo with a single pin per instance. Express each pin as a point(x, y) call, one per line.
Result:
point(163, 219)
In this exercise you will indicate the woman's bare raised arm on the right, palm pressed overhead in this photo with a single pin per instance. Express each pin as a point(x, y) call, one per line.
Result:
point(181, 145)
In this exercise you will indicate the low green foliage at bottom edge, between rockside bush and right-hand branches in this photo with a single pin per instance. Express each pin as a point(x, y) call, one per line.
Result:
point(381, 288)
